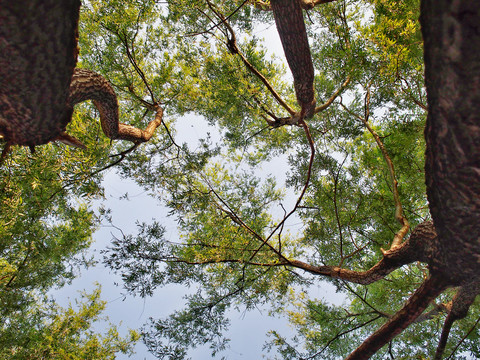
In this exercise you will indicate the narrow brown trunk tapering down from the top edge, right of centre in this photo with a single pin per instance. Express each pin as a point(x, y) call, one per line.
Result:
point(291, 28)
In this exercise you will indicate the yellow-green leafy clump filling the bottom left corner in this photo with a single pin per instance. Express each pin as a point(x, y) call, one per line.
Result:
point(47, 331)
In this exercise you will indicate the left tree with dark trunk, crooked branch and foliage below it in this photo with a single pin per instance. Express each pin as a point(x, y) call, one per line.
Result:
point(46, 220)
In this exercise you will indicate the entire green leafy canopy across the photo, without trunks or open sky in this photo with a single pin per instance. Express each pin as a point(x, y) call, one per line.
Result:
point(238, 225)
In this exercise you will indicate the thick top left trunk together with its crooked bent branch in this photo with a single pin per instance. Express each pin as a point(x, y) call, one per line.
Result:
point(39, 84)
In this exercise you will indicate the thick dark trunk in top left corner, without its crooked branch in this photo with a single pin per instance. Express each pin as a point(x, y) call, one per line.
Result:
point(38, 53)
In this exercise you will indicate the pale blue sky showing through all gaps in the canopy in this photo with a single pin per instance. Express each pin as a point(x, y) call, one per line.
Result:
point(248, 329)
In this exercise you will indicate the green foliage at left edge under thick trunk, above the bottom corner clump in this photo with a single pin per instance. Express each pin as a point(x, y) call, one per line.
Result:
point(44, 222)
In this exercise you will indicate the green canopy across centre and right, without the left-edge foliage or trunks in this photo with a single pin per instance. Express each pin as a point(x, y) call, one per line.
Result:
point(231, 221)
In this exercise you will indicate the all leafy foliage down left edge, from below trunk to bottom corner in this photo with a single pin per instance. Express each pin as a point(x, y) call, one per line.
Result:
point(46, 226)
